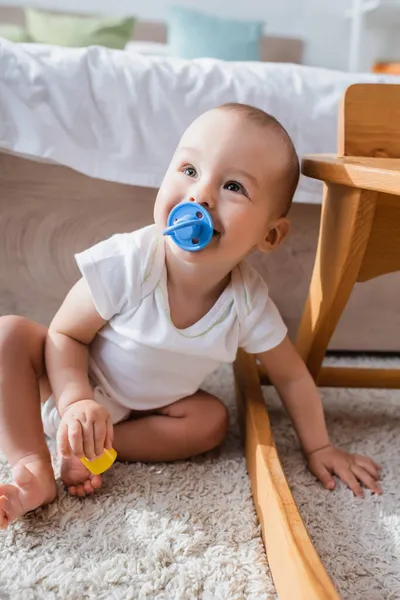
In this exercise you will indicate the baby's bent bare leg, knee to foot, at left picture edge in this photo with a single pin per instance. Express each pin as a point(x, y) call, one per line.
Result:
point(21, 432)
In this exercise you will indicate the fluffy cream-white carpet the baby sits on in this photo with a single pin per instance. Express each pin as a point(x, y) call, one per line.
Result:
point(188, 530)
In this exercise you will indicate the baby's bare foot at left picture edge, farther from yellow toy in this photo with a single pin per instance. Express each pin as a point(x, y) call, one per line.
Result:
point(33, 486)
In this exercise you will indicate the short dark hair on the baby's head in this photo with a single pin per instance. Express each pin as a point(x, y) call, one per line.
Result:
point(291, 170)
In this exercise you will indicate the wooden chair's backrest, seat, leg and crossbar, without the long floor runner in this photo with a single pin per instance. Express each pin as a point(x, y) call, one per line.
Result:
point(360, 224)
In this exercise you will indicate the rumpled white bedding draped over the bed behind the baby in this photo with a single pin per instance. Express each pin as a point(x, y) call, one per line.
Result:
point(118, 116)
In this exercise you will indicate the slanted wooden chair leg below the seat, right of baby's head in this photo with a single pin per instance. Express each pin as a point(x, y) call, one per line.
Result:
point(346, 222)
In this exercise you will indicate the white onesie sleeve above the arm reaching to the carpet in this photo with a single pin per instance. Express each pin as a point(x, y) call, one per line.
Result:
point(263, 327)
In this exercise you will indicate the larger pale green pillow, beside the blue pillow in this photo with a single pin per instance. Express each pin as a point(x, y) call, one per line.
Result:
point(79, 31)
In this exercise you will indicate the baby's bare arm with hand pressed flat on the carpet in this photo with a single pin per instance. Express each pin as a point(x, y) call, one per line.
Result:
point(299, 394)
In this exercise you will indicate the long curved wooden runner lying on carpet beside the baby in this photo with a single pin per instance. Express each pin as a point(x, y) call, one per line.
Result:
point(296, 568)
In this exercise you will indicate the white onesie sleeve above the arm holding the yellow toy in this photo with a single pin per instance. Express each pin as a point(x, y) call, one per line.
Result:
point(112, 271)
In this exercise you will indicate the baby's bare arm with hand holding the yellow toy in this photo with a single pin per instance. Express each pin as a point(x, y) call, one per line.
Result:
point(69, 335)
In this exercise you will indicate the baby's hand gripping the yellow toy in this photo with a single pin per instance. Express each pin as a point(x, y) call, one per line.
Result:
point(85, 430)
